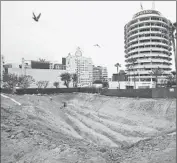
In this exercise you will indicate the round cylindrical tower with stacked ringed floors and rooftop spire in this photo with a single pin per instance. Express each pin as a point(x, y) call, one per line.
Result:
point(147, 41)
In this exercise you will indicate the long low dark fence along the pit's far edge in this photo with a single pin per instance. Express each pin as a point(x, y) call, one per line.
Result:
point(141, 93)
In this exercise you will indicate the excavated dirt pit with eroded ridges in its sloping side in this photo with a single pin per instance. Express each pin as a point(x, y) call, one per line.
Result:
point(91, 129)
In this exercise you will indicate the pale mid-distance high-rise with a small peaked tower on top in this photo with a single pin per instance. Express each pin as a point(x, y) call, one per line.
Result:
point(82, 66)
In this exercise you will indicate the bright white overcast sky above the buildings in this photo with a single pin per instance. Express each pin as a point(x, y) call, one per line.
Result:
point(63, 26)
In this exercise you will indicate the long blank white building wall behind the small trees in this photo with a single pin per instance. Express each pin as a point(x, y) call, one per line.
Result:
point(50, 75)
